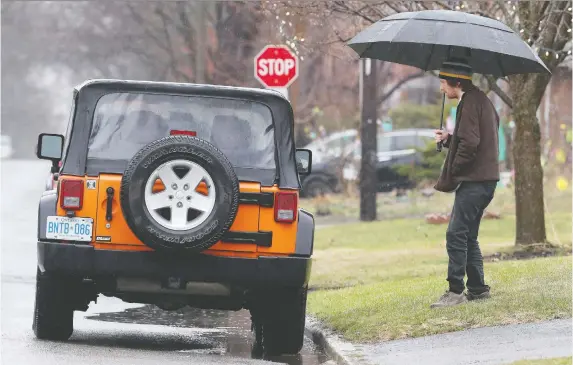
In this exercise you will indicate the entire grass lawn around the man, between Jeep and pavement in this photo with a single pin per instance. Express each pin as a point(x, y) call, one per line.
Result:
point(375, 281)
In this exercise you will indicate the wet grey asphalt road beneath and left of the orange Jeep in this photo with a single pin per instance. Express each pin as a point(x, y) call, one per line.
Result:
point(111, 331)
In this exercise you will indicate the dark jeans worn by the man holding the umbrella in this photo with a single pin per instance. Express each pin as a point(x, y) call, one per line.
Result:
point(463, 248)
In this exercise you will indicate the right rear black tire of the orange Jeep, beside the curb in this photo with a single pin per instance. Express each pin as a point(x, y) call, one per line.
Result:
point(279, 320)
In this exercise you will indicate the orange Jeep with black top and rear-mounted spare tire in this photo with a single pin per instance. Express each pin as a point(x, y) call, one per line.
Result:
point(176, 195)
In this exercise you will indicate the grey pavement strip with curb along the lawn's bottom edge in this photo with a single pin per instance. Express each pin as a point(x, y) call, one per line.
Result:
point(488, 345)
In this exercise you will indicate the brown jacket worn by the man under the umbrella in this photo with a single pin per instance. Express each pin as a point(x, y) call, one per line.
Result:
point(473, 148)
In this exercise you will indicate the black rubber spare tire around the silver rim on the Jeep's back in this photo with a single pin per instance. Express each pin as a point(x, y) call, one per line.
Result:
point(151, 157)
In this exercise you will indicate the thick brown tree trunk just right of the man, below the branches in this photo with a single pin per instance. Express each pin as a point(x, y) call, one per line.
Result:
point(527, 91)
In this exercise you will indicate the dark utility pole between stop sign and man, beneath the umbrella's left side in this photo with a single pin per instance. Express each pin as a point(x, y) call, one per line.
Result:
point(368, 137)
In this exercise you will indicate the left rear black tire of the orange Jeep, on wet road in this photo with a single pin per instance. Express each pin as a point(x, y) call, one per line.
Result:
point(53, 307)
